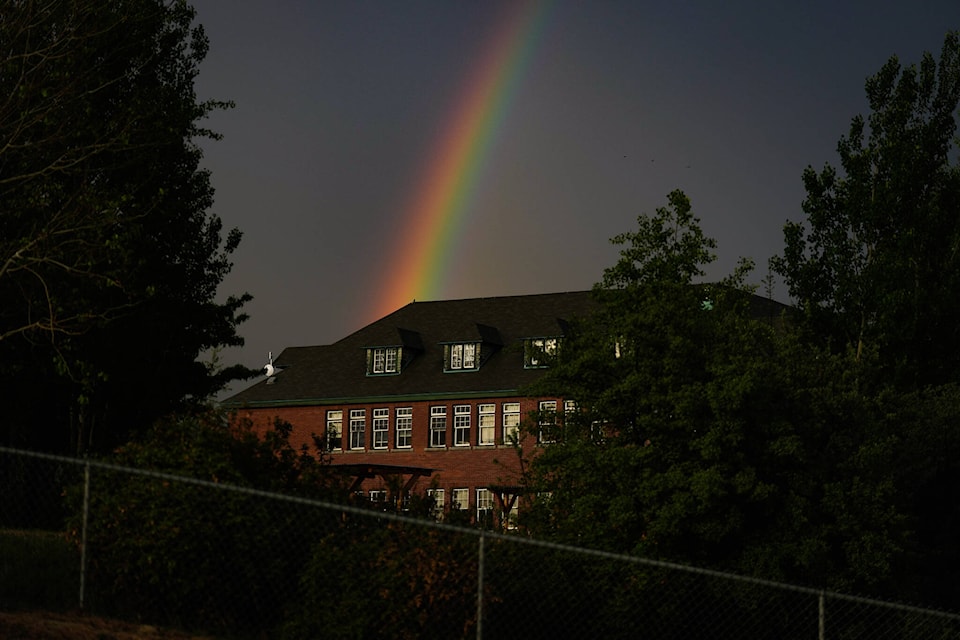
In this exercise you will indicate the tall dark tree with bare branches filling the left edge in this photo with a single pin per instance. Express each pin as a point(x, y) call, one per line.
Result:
point(109, 261)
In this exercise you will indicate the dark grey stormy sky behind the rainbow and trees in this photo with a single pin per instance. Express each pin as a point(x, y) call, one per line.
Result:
point(339, 106)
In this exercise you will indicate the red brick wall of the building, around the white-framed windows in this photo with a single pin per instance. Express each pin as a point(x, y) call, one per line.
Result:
point(471, 467)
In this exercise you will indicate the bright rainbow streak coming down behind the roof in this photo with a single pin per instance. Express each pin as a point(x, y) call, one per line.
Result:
point(435, 218)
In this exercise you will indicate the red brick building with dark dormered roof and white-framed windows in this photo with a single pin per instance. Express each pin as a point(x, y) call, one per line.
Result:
point(425, 399)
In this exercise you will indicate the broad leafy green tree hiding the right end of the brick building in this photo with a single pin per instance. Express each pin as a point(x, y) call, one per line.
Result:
point(707, 432)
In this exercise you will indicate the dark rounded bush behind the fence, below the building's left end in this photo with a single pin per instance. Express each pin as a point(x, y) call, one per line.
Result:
point(192, 556)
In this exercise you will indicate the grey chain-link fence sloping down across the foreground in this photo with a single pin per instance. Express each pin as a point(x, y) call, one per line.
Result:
point(238, 562)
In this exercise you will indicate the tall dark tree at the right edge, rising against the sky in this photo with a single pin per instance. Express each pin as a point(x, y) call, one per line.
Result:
point(874, 269)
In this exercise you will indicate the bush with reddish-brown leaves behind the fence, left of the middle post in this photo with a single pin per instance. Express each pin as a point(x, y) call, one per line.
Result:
point(370, 579)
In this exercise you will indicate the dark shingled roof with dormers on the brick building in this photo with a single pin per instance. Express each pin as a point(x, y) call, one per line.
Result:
point(337, 373)
